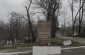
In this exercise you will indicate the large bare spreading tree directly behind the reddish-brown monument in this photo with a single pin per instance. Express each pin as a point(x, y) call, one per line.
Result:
point(50, 9)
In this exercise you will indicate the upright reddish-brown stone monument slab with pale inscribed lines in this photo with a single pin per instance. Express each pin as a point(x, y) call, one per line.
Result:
point(44, 32)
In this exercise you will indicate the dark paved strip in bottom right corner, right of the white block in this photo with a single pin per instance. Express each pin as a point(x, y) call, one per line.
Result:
point(77, 51)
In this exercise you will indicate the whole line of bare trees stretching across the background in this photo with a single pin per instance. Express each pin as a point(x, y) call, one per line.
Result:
point(21, 27)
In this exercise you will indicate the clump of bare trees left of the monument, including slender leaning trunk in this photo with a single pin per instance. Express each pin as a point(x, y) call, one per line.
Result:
point(19, 26)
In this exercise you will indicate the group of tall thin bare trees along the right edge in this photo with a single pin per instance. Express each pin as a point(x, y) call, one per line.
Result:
point(78, 15)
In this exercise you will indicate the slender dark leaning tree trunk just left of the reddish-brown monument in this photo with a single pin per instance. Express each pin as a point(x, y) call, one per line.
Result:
point(30, 30)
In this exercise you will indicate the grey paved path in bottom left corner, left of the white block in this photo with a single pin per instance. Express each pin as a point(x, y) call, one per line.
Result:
point(19, 51)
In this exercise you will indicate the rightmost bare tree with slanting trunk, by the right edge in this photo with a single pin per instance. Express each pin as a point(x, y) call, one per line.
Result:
point(80, 12)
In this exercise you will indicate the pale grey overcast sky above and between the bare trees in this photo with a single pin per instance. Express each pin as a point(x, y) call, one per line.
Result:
point(7, 6)
